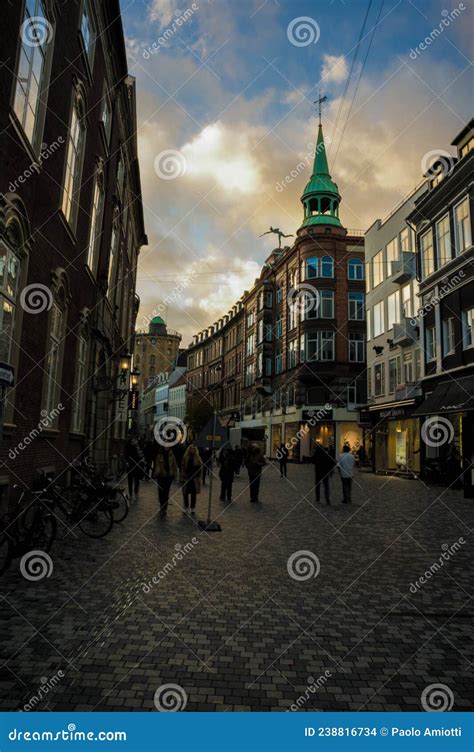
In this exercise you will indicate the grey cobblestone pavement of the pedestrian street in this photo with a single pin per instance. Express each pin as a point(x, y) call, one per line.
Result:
point(226, 621)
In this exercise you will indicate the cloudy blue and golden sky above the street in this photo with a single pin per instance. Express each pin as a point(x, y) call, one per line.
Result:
point(231, 94)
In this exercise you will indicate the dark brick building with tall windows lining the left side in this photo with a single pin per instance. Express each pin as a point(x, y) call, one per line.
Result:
point(71, 228)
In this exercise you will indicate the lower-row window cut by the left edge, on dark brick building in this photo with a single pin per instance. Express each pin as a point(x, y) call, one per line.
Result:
point(9, 275)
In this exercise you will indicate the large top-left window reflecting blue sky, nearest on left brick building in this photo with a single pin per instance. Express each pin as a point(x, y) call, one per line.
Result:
point(33, 71)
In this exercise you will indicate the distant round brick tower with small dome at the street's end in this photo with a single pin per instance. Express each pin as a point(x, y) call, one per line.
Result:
point(155, 351)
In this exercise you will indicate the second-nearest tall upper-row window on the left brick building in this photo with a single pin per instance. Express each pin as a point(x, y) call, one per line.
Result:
point(75, 152)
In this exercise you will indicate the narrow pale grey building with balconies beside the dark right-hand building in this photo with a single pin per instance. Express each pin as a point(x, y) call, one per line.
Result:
point(392, 435)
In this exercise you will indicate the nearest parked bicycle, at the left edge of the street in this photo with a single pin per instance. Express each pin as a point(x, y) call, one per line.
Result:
point(33, 528)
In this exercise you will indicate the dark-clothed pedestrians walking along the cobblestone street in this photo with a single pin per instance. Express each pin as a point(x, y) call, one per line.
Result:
point(190, 466)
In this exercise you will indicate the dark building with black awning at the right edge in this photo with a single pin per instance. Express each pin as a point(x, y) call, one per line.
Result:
point(442, 218)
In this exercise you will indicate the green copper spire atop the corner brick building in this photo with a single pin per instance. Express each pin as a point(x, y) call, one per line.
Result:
point(321, 196)
